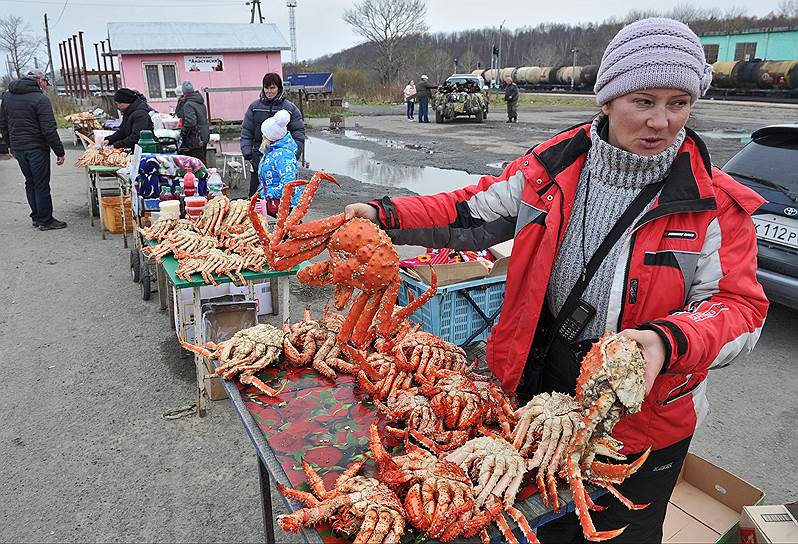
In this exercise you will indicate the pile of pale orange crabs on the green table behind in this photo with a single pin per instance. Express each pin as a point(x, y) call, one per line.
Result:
point(222, 242)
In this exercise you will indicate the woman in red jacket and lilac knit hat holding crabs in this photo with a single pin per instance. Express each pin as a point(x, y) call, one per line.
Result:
point(621, 224)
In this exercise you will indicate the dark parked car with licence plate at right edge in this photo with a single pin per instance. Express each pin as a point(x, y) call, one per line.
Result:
point(768, 165)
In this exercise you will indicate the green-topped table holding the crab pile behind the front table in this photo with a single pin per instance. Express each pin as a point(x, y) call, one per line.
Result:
point(279, 284)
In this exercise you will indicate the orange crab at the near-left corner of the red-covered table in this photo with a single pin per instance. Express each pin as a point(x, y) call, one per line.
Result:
point(357, 505)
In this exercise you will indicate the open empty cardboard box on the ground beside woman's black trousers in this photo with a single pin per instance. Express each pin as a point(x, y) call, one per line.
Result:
point(706, 504)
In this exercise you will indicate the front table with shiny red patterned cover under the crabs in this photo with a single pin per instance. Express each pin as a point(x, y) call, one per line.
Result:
point(327, 424)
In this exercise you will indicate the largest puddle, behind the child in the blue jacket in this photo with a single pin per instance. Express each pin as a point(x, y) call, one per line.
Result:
point(359, 164)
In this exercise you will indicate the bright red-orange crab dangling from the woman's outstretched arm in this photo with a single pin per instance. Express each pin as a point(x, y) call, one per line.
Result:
point(362, 257)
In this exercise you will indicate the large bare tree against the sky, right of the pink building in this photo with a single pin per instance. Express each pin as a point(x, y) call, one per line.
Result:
point(385, 23)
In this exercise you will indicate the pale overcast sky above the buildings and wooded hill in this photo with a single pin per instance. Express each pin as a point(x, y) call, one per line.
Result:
point(320, 29)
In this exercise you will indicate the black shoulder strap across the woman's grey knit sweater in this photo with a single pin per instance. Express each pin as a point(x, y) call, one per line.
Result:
point(635, 208)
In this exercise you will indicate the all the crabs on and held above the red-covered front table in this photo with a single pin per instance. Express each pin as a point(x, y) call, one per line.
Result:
point(467, 448)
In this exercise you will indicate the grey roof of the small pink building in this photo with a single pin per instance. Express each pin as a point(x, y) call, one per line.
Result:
point(195, 37)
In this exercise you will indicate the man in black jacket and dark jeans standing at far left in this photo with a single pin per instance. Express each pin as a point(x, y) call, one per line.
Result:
point(27, 124)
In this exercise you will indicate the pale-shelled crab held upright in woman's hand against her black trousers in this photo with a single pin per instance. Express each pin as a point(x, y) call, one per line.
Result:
point(609, 386)
